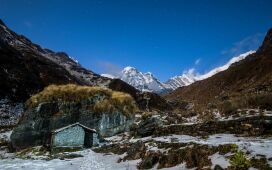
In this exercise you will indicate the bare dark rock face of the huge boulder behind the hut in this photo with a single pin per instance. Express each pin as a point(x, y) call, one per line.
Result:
point(37, 123)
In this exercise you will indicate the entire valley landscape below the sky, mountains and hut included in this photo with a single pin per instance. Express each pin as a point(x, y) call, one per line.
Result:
point(219, 120)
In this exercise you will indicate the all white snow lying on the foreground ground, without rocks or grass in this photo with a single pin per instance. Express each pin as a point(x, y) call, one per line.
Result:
point(256, 146)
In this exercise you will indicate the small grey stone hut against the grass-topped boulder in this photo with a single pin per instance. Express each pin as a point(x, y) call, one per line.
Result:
point(74, 136)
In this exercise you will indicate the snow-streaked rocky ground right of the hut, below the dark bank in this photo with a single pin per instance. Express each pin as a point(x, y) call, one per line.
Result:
point(218, 150)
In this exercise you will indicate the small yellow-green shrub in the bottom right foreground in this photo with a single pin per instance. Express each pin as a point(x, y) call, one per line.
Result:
point(240, 161)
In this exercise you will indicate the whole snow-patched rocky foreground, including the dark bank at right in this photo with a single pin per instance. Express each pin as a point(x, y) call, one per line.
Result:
point(159, 140)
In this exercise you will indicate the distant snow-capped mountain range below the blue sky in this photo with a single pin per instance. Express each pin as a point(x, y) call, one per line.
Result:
point(148, 82)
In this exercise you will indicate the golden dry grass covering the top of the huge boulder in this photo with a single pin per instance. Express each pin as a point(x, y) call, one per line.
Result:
point(112, 100)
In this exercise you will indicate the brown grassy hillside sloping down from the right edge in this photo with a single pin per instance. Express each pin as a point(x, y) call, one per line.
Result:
point(247, 83)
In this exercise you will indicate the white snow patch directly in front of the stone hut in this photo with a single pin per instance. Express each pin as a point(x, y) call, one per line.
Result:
point(90, 161)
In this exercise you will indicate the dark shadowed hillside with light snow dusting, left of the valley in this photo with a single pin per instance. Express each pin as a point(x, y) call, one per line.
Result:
point(27, 68)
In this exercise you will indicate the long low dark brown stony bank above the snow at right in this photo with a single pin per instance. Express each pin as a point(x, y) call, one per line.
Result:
point(249, 126)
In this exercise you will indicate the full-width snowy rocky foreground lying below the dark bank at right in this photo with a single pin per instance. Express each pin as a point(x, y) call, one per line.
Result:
point(123, 151)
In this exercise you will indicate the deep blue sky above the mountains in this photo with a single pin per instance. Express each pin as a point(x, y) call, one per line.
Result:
point(165, 37)
